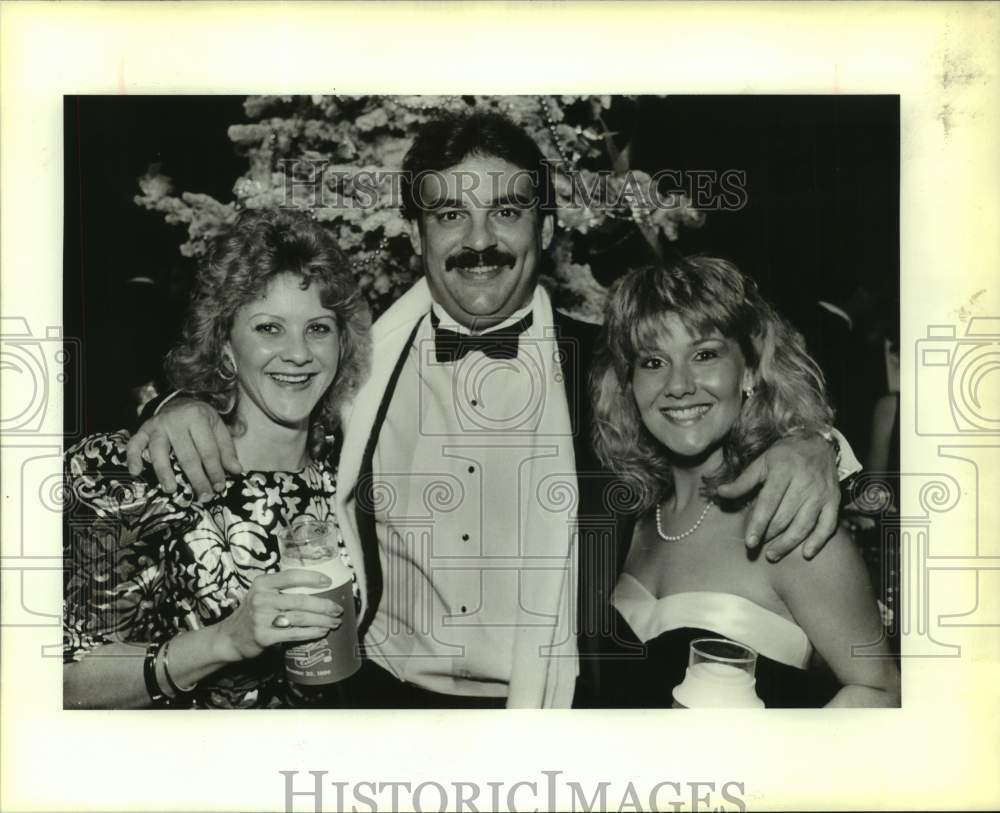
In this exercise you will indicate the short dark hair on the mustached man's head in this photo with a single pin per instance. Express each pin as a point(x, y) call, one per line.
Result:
point(450, 138)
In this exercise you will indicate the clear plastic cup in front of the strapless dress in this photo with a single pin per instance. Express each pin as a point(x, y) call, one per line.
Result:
point(720, 674)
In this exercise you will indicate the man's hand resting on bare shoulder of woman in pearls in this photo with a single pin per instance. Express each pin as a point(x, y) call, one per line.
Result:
point(799, 496)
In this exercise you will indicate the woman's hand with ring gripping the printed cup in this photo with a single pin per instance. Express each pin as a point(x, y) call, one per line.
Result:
point(266, 616)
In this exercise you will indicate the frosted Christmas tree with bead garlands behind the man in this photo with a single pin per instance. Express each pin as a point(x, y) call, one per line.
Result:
point(339, 157)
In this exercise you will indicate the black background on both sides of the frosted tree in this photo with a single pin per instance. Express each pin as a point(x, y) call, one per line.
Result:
point(822, 215)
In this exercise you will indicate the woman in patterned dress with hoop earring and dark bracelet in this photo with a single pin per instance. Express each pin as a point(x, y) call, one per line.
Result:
point(175, 598)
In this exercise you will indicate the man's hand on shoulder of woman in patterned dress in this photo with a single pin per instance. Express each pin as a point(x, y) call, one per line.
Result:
point(199, 440)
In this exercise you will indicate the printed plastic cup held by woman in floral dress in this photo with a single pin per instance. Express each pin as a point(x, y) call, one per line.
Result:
point(312, 545)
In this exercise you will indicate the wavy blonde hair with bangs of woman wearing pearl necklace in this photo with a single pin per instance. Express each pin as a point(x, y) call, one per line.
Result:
point(708, 295)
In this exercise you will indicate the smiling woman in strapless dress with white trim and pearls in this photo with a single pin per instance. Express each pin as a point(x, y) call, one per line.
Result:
point(695, 375)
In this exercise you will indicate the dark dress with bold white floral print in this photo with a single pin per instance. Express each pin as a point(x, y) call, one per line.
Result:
point(142, 565)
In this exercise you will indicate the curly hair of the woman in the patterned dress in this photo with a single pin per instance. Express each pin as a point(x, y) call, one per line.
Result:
point(261, 245)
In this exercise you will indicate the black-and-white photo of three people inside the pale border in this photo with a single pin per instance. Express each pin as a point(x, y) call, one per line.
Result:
point(749, 302)
